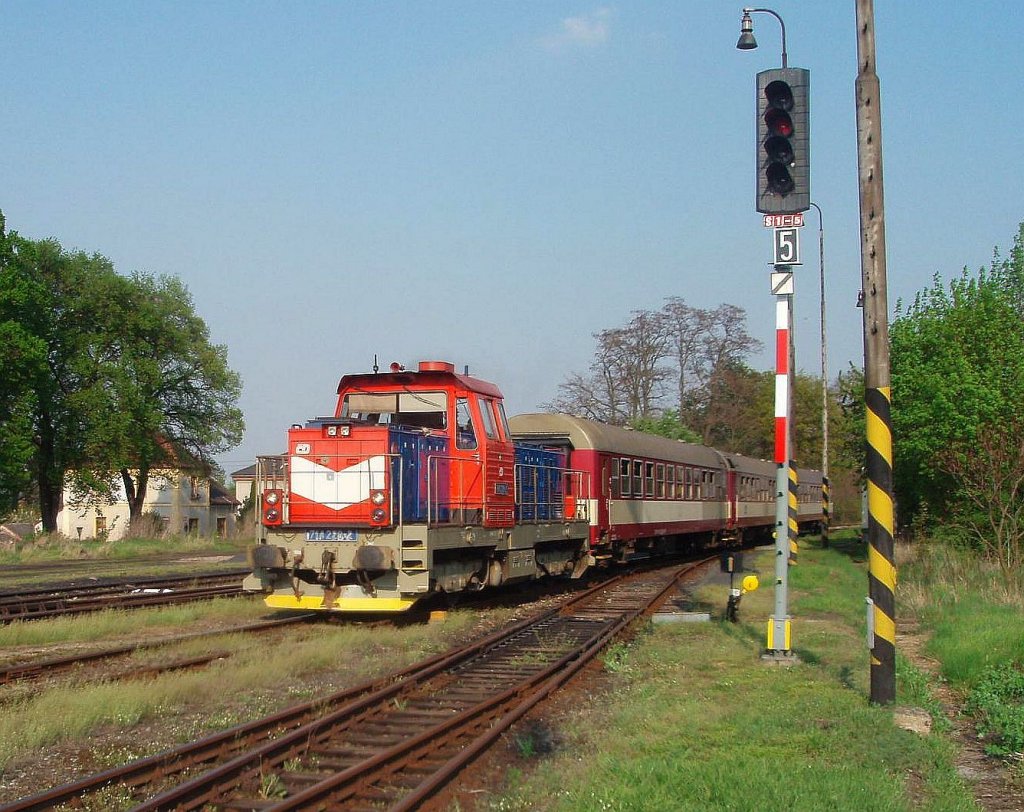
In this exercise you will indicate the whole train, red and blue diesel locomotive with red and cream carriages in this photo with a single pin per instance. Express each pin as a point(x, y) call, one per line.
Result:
point(419, 484)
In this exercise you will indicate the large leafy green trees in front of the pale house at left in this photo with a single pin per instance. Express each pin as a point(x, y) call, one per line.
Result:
point(104, 378)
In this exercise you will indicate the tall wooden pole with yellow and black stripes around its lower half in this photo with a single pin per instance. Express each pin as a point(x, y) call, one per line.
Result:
point(881, 518)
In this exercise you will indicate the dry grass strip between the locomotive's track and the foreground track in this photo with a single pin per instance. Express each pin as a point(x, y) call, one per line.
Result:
point(309, 661)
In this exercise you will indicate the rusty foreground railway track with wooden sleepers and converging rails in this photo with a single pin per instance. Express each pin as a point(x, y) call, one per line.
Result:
point(392, 744)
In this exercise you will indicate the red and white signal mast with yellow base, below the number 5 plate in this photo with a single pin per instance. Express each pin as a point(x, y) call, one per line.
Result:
point(780, 643)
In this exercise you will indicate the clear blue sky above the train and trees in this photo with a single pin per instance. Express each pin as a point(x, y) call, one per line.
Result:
point(488, 183)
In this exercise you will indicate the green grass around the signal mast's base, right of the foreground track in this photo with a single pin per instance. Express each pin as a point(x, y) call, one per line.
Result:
point(695, 720)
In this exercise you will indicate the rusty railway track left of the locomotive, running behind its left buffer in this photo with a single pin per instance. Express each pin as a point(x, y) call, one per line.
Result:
point(153, 591)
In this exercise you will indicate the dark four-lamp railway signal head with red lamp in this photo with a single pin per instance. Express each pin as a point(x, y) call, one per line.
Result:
point(784, 163)
